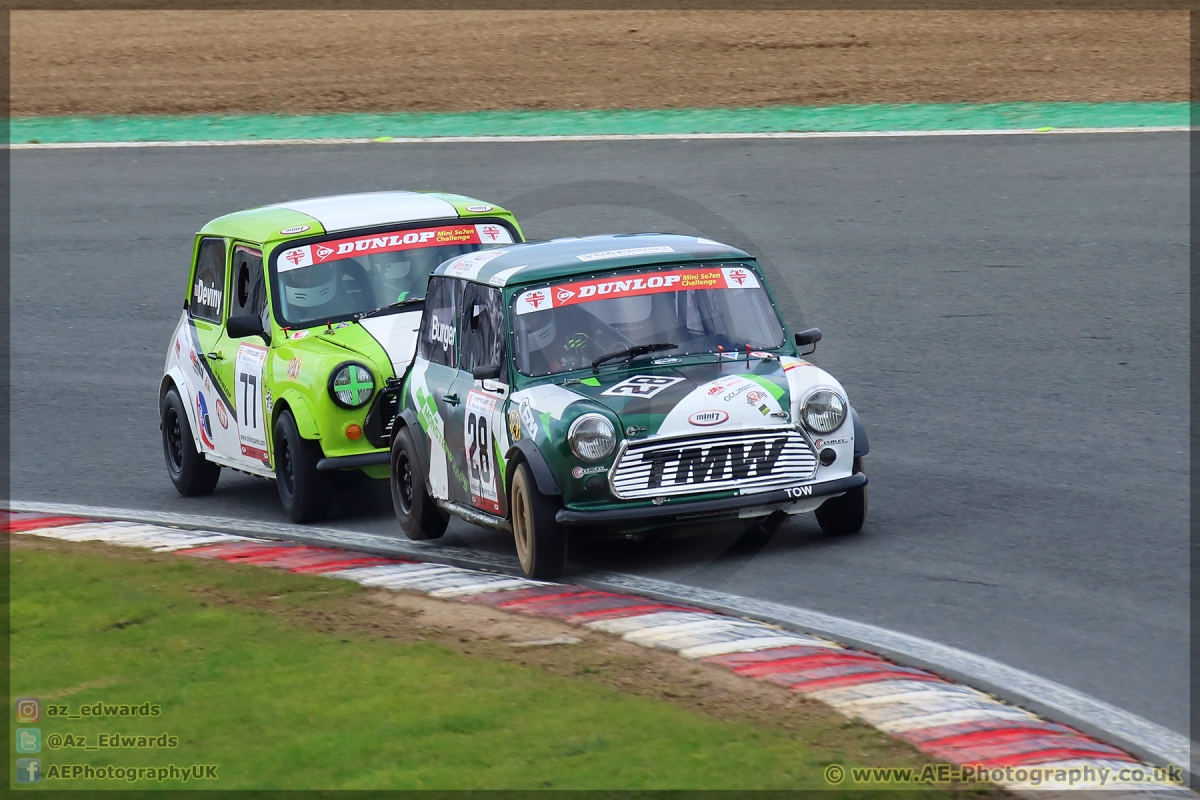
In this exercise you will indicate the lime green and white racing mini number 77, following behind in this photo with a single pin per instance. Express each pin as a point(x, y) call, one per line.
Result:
point(297, 316)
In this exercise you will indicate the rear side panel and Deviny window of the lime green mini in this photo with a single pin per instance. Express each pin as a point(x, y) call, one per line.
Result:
point(206, 323)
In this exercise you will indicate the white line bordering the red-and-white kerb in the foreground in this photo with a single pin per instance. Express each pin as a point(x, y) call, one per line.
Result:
point(1090, 715)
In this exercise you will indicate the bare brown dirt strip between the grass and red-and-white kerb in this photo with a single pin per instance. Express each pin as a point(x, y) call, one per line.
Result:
point(482, 631)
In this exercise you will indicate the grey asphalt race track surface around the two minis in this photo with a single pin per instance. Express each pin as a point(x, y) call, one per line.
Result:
point(1009, 315)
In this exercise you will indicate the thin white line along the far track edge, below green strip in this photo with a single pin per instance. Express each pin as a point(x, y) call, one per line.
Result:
point(596, 137)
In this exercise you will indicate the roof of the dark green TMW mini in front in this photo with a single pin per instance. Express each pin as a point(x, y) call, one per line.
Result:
point(547, 261)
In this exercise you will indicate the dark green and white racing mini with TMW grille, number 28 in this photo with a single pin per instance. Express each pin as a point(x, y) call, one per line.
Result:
point(619, 386)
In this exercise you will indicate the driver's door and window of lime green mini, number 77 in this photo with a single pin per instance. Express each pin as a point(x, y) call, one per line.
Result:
point(241, 363)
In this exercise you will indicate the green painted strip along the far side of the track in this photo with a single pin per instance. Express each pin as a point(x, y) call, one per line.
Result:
point(949, 117)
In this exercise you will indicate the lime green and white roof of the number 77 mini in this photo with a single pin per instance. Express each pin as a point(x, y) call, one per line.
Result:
point(338, 213)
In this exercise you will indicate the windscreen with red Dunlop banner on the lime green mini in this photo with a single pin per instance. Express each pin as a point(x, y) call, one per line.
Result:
point(343, 278)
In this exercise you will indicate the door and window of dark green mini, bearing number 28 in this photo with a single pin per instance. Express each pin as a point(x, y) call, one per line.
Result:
point(481, 417)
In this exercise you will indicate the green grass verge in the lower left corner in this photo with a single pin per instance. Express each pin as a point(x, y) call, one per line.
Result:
point(290, 682)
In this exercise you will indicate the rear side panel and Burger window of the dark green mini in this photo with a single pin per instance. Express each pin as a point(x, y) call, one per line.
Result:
point(433, 389)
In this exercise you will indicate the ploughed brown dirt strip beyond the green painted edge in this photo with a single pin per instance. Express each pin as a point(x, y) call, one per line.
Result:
point(321, 62)
